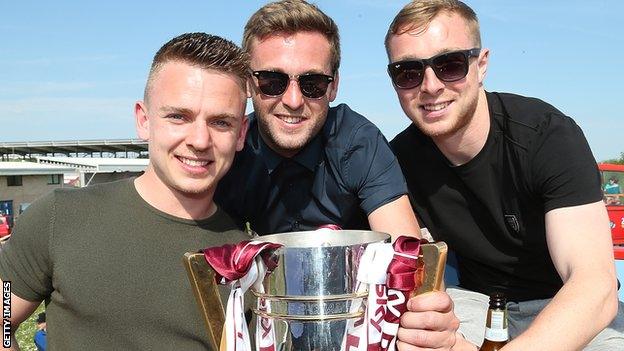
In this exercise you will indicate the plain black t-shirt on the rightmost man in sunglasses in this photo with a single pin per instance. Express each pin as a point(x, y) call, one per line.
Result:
point(490, 211)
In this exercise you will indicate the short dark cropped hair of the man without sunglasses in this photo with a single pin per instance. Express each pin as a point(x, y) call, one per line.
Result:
point(204, 50)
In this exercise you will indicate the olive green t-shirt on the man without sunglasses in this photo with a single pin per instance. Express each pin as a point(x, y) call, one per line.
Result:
point(111, 266)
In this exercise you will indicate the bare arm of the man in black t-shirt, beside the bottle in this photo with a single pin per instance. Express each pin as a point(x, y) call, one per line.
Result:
point(580, 246)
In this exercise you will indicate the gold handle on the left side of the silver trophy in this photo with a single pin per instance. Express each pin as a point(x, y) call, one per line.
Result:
point(204, 286)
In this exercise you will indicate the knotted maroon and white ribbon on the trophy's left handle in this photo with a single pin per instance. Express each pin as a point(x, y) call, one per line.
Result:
point(241, 266)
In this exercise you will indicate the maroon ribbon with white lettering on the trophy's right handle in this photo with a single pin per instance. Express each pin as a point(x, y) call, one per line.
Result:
point(404, 273)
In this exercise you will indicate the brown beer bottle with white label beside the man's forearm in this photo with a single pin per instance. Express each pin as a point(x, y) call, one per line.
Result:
point(496, 333)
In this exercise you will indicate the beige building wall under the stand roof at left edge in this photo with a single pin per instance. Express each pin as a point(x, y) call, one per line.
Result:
point(33, 186)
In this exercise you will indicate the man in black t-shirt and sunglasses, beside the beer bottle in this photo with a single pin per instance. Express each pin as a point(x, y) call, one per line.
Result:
point(508, 182)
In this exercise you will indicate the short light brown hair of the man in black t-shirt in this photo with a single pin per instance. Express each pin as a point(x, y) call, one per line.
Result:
point(419, 13)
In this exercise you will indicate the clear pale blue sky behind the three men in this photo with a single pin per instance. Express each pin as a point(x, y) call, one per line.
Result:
point(72, 70)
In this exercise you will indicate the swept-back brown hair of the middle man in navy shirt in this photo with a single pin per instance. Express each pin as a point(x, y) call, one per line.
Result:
point(292, 16)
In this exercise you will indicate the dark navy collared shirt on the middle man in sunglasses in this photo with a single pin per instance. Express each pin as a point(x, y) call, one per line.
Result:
point(346, 172)
